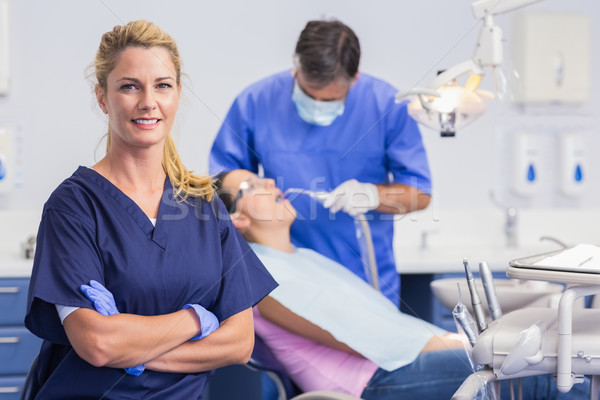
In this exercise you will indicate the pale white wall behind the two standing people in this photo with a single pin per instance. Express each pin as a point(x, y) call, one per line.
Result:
point(228, 44)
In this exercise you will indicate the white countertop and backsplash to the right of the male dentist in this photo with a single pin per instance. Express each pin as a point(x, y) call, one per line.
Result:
point(436, 240)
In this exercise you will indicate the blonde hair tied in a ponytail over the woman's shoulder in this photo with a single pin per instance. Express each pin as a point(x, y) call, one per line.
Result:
point(142, 33)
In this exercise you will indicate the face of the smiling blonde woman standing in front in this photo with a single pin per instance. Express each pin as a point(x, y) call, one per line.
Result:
point(141, 97)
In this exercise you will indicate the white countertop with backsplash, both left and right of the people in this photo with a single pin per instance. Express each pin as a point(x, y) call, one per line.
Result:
point(430, 241)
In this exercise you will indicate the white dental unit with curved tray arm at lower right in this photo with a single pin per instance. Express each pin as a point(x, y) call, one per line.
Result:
point(535, 341)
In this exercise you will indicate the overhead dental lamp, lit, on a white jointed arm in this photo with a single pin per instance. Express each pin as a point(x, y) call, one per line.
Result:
point(446, 106)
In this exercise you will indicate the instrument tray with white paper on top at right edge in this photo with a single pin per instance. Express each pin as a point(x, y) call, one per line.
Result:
point(579, 265)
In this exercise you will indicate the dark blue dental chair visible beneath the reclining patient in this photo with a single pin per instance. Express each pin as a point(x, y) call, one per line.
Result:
point(263, 359)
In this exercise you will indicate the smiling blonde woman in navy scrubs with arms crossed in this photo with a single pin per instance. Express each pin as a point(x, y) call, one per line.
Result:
point(128, 288)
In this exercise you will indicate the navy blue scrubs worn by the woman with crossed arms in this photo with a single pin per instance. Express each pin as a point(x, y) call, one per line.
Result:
point(92, 230)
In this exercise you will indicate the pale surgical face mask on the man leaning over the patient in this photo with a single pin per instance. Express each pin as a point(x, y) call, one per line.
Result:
point(321, 113)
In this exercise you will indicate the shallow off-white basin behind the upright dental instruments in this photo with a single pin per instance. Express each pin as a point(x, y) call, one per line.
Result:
point(512, 294)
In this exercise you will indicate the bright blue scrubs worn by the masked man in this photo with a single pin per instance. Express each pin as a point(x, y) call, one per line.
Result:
point(374, 140)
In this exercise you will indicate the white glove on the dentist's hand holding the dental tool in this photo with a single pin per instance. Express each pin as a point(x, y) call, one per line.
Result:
point(353, 197)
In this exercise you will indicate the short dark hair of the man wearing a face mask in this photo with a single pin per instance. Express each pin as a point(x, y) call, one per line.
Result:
point(327, 50)
